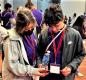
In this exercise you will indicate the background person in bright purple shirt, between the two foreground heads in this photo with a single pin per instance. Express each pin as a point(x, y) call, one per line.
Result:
point(37, 14)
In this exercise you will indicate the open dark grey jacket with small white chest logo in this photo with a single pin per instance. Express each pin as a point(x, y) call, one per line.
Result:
point(72, 54)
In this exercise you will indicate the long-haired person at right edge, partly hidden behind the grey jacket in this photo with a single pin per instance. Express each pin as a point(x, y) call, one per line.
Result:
point(80, 25)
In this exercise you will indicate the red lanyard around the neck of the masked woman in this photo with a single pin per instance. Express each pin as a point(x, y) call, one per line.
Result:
point(32, 45)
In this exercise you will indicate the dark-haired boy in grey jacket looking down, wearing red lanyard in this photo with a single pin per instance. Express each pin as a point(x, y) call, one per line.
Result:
point(66, 50)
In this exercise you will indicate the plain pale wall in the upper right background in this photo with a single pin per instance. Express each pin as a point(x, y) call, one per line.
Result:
point(73, 6)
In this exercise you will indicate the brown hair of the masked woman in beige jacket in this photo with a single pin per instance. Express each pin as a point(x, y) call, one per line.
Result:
point(24, 17)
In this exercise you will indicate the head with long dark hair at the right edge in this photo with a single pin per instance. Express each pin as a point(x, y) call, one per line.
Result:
point(80, 25)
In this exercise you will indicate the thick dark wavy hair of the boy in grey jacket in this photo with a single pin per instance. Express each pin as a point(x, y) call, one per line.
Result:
point(53, 14)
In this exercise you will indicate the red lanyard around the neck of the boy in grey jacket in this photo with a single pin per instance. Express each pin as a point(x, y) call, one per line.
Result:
point(56, 50)
